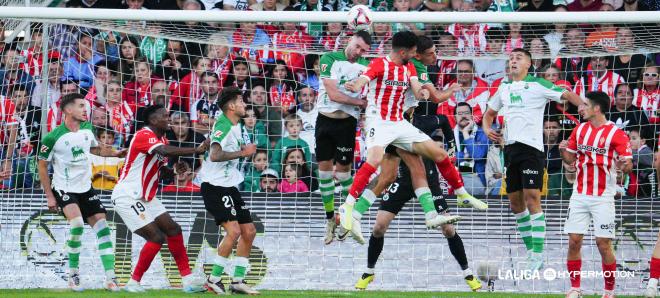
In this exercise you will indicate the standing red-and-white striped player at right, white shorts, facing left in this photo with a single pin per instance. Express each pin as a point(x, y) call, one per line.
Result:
point(598, 149)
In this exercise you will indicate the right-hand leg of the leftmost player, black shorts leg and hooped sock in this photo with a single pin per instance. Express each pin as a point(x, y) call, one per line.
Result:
point(93, 211)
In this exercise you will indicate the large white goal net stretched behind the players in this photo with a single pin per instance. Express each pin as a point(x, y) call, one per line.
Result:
point(123, 61)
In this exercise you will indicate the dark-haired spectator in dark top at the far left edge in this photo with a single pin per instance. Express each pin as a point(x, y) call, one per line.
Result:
point(11, 72)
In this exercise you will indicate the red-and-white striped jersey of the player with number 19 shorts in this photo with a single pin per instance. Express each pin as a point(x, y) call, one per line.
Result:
point(140, 174)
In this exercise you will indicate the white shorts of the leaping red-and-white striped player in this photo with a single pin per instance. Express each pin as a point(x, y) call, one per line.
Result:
point(401, 134)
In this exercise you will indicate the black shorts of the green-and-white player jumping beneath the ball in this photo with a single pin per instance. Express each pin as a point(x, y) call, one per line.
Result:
point(335, 139)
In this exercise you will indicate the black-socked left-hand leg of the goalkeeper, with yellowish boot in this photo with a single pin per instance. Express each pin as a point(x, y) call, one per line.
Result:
point(376, 243)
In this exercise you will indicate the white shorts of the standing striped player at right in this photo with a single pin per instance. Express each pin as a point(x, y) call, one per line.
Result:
point(583, 210)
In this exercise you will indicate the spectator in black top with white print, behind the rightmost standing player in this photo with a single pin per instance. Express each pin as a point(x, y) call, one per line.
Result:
point(625, 115)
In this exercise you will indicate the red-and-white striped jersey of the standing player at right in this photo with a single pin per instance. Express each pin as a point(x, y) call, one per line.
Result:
point(597, 150)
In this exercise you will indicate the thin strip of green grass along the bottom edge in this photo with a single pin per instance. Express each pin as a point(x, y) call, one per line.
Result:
point(173, 293)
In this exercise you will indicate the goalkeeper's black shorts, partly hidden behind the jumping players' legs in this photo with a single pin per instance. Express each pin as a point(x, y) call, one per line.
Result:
point(401, 191)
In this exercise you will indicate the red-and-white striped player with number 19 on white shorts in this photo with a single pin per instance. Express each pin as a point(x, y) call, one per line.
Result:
point(136, 203)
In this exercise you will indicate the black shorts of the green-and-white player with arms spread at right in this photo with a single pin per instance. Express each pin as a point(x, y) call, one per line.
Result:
point(524, 167)
